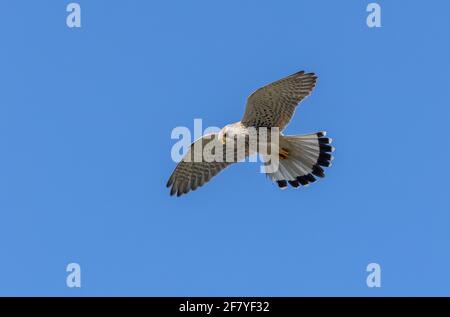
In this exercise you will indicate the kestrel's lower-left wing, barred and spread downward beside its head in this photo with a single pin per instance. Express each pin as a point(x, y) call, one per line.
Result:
point(196, 168)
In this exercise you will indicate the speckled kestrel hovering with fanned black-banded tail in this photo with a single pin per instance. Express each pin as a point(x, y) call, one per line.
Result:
point(301, 157)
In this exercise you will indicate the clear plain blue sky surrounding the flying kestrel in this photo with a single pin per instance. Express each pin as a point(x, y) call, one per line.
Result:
point(85, 122)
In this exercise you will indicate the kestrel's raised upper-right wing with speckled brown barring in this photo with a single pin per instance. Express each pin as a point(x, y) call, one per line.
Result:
point(274, 105)
